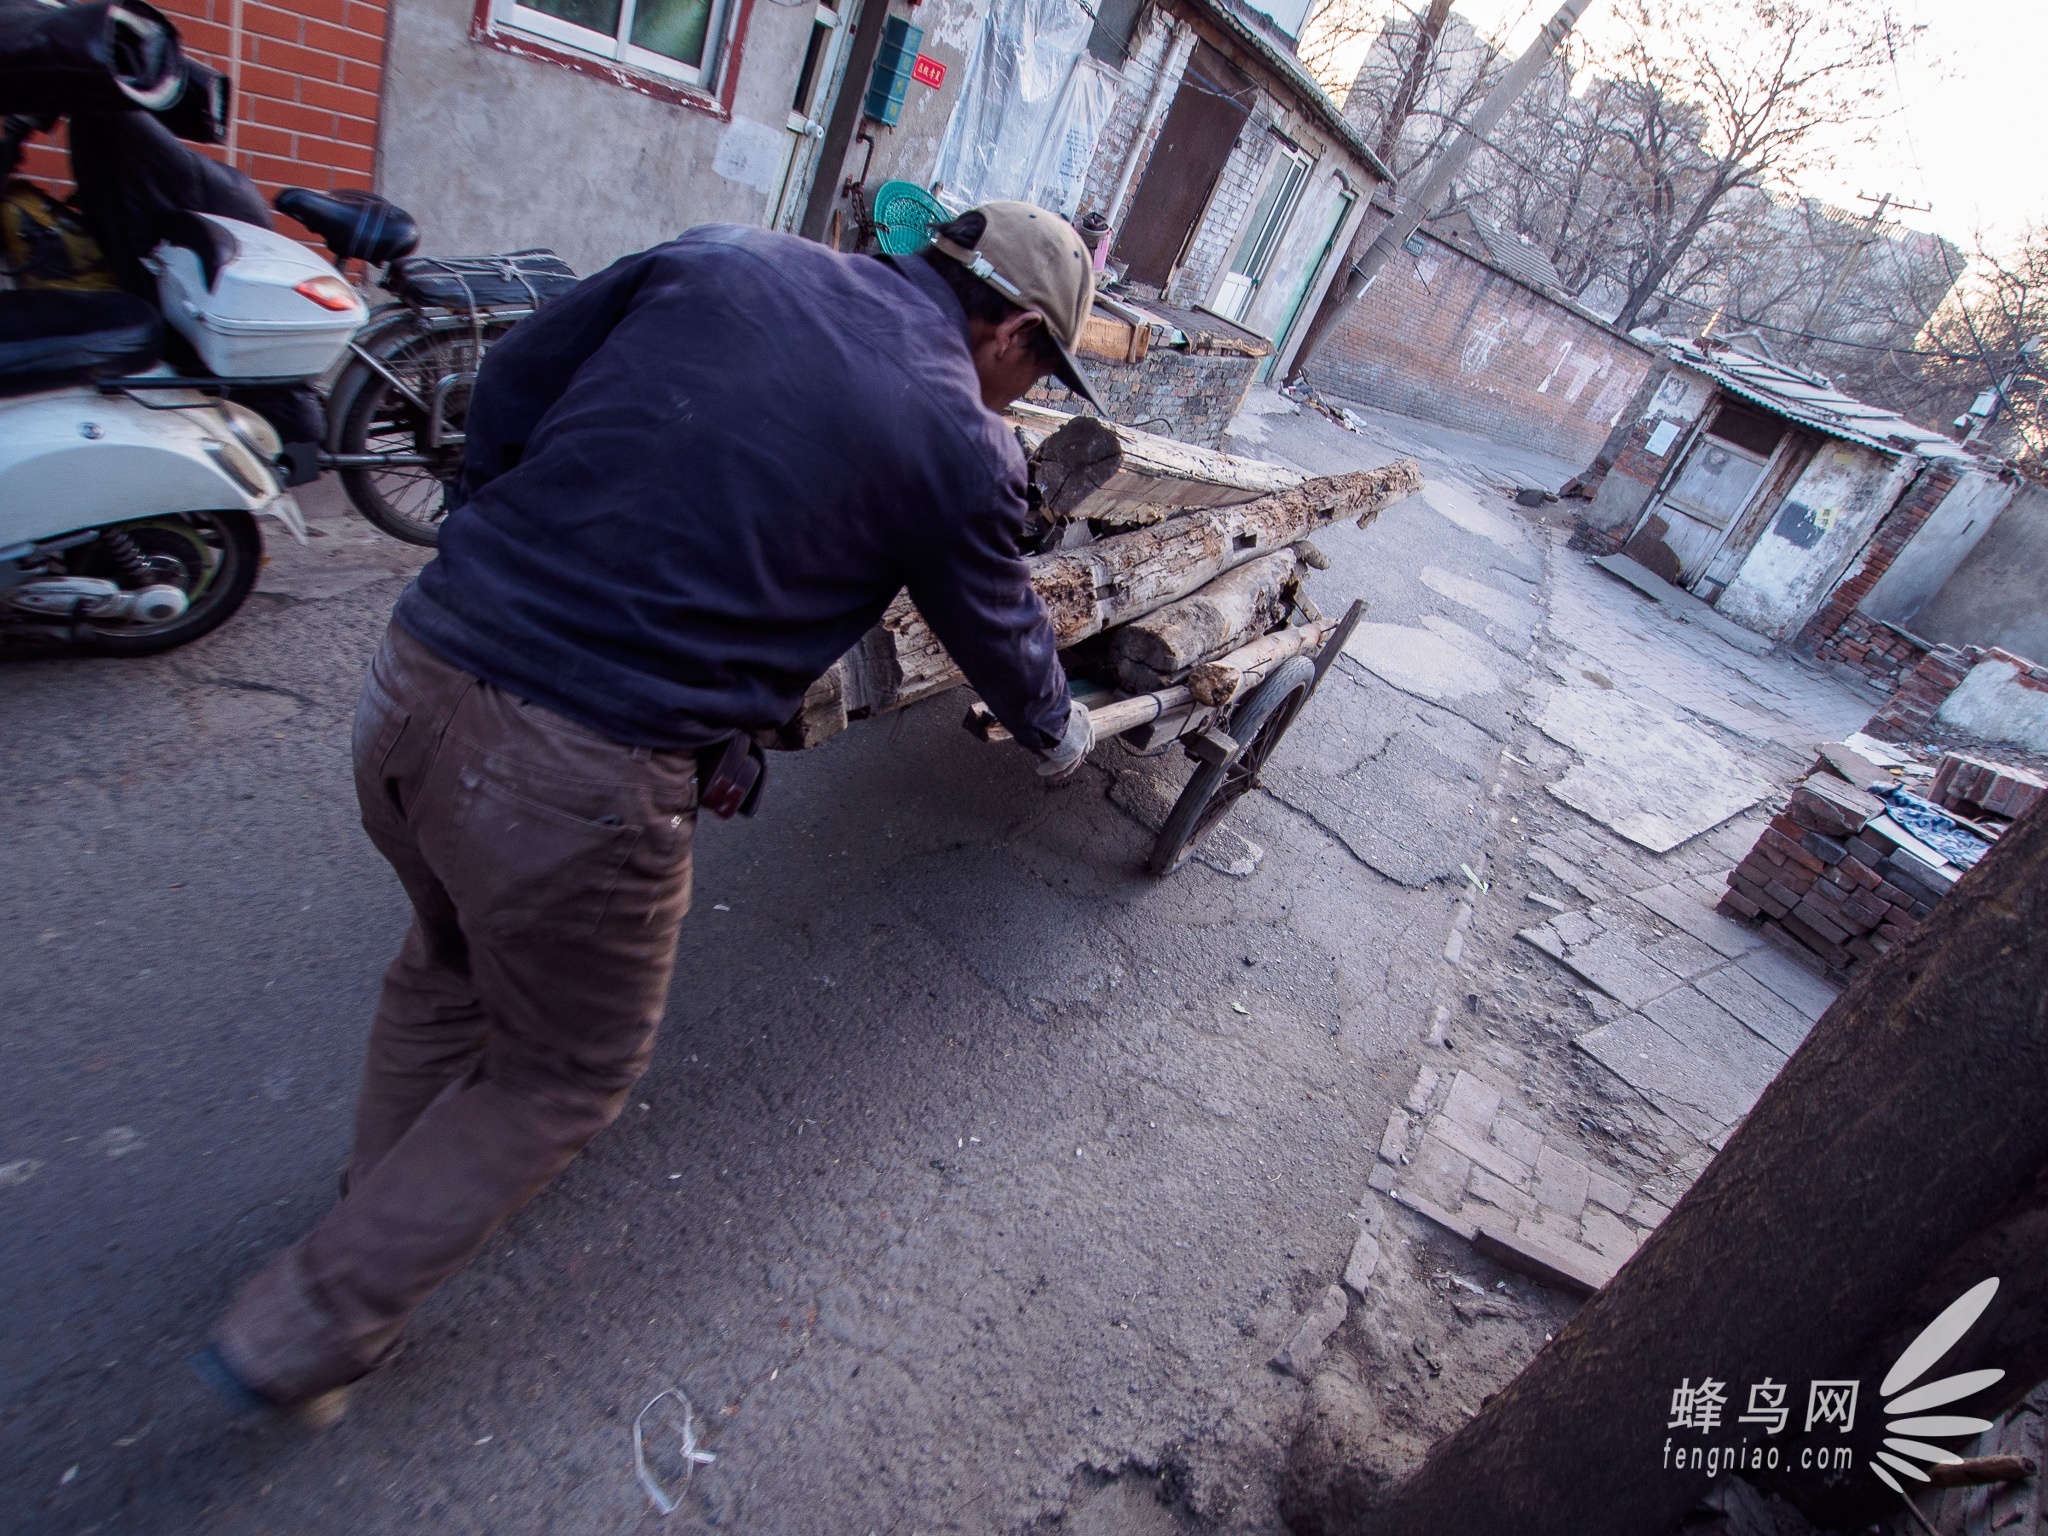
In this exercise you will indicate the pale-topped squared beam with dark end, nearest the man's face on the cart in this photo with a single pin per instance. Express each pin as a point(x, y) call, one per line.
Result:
point(1121, 478)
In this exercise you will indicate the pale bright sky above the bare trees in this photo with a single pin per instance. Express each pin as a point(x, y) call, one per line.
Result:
point(1967, 132)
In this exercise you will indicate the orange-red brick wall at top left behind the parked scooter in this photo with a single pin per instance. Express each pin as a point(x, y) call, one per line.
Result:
point(306, 114)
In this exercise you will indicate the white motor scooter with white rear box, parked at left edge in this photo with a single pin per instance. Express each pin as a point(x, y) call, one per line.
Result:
point(128, 495)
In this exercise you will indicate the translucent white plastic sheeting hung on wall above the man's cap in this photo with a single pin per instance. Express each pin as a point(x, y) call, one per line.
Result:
point(1029, 112)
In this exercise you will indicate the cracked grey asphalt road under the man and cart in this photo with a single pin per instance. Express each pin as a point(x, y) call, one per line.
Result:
point(974, 1162)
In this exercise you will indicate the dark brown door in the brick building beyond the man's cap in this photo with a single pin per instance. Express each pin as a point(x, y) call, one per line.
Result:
point(1195, 142)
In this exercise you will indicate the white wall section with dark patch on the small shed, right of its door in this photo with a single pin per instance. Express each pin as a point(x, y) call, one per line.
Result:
point(1824, 523)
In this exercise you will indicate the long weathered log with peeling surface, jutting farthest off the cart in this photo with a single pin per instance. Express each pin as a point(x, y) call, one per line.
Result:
point(1107, 583)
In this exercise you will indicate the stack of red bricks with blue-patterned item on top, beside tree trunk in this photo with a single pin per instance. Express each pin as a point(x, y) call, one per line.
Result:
point(1832, 880)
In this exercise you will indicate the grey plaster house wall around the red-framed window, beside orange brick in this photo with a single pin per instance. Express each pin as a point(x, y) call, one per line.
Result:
point(497, 153)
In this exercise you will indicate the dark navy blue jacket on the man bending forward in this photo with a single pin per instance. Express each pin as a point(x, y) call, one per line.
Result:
point(703, 474)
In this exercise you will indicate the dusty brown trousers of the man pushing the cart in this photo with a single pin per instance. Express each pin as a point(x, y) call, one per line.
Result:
point(550, 871)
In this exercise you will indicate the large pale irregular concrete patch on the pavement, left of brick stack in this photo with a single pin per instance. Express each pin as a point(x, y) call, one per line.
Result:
point(1646, 775)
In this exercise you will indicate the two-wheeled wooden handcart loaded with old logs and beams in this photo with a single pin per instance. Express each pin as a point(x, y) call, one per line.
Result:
point(1172, 577)
